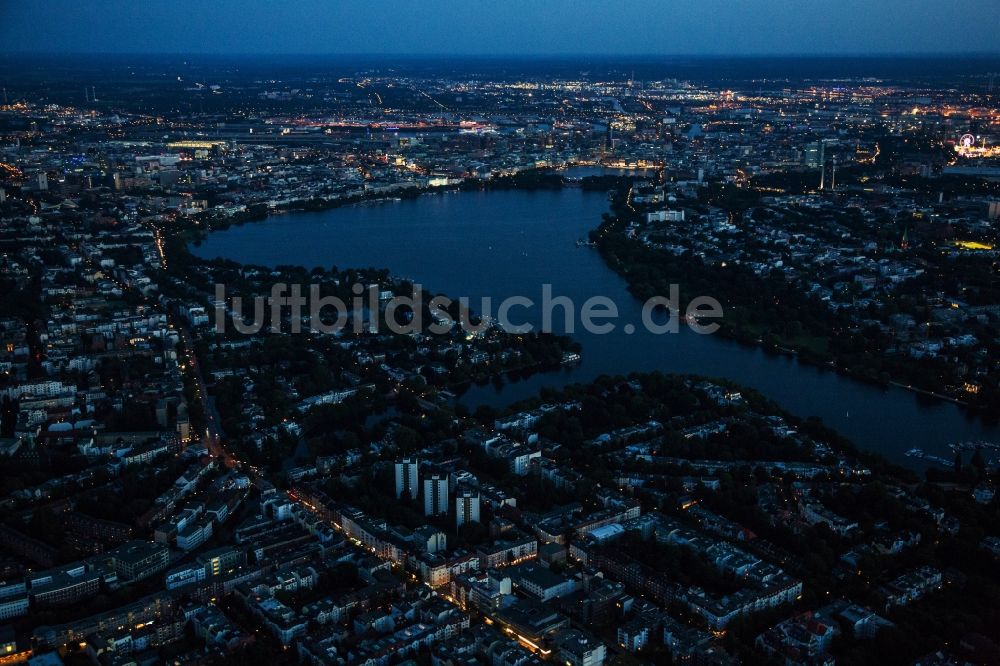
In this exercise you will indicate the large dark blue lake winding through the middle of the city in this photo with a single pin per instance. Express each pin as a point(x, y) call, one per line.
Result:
point(500, 244)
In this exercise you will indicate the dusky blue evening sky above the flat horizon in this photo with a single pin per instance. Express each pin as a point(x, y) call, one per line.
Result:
point(530, 27)
